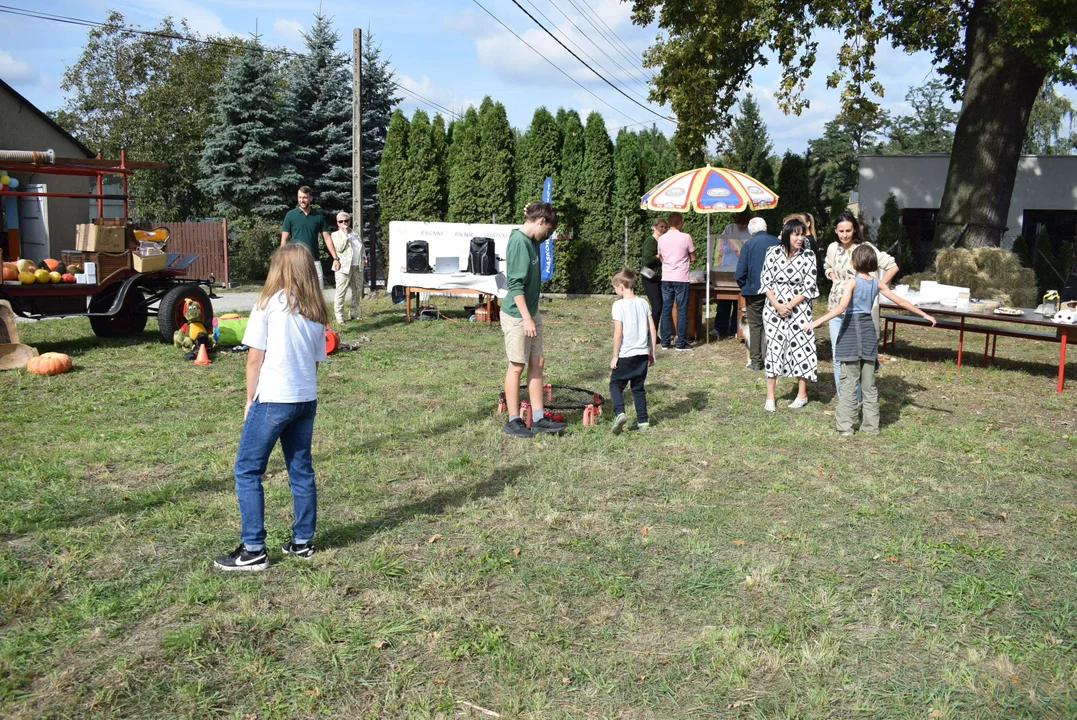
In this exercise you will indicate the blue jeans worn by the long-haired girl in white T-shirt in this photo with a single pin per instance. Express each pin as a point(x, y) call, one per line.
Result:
point(293, 425)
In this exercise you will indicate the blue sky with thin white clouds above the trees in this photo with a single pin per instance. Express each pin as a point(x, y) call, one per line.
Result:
point(450, 52)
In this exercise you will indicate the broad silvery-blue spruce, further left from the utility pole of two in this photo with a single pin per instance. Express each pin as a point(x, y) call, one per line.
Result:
point(247, 163)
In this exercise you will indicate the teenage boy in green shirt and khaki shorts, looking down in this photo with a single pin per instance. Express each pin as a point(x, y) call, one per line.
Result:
point(522, 323)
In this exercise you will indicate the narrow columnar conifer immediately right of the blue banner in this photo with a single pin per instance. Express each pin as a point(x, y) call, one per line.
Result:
point(569, 276)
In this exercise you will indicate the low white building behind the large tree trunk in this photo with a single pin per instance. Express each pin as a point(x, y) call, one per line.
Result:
point(1045, 195)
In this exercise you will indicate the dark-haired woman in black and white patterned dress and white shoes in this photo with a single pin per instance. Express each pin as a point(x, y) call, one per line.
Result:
point(789, 281)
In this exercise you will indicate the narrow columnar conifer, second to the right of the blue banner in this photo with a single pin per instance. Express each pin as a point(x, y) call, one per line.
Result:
point(604, 255)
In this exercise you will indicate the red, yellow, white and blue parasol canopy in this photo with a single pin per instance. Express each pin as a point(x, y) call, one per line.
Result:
point(709, 190)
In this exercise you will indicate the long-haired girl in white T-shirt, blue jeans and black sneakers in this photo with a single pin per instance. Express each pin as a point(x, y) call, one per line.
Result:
point(287, 338)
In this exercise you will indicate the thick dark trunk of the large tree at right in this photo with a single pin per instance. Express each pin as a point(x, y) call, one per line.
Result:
point(1002, 87)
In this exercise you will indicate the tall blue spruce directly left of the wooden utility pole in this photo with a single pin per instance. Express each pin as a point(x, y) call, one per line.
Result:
point(319, 121)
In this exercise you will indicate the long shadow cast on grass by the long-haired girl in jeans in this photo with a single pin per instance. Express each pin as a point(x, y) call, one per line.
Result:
point(344, 535)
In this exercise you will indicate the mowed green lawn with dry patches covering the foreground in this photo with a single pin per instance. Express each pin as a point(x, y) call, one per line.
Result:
point(730, 564)
